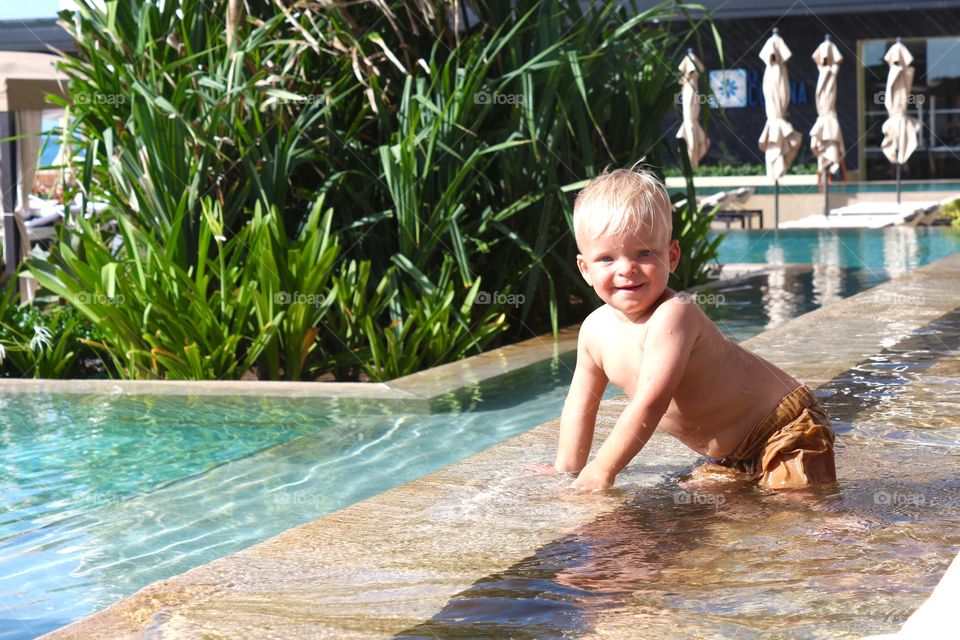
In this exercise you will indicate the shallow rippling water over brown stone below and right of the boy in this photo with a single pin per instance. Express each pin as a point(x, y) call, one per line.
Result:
point(731, 560)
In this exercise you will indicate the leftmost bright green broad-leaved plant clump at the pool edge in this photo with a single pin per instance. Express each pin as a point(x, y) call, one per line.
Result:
point(158, 318)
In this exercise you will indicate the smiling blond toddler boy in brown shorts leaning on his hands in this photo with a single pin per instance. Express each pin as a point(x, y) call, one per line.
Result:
point(679, 371)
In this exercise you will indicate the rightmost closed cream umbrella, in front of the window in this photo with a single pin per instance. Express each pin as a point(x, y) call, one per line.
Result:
point(899, 130)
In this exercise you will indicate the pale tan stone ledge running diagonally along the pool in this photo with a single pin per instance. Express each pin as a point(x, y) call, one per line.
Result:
point(386, 564)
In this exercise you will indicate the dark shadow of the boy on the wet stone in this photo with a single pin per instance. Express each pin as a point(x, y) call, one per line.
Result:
point(557, 591)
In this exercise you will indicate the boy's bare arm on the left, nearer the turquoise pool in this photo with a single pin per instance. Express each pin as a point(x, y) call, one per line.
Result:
point(580, 410)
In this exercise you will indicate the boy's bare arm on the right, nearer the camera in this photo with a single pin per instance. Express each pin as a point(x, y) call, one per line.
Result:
point(669, 340)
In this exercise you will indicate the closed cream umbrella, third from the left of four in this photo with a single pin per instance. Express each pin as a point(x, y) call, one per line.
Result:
point(826, 139)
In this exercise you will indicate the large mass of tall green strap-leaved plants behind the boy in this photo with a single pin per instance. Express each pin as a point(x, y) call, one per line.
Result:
point(257, 186)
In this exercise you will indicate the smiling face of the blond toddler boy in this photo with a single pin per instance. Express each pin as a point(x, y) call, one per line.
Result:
point(629, 272)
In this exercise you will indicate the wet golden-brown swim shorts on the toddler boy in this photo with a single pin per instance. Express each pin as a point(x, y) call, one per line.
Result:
point(790, 448)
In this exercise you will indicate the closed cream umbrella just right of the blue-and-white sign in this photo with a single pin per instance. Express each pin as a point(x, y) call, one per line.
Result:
point(778, 141)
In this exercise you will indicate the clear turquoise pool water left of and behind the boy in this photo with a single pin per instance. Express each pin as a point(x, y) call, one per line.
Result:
point(100, 496)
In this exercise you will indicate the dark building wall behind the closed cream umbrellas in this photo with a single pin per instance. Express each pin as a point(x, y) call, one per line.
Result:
point(736, 139)
